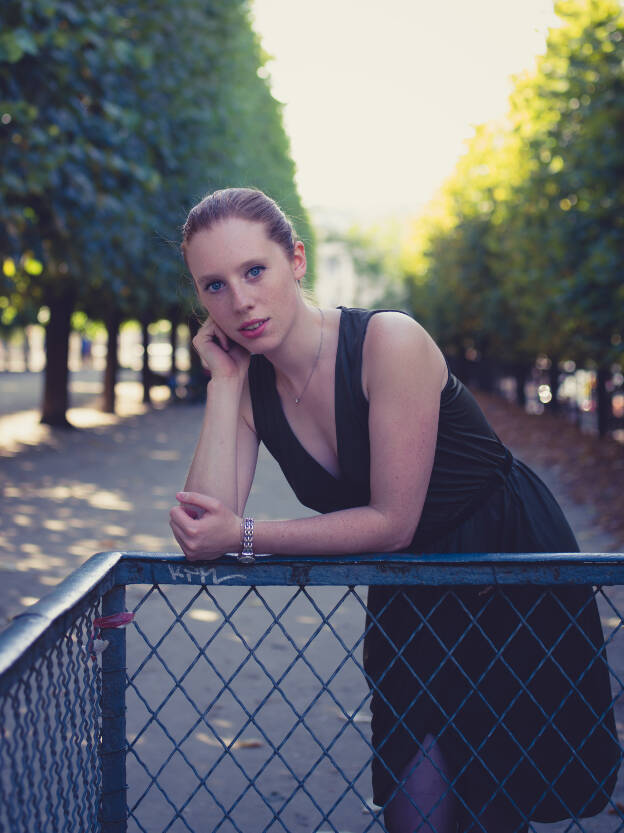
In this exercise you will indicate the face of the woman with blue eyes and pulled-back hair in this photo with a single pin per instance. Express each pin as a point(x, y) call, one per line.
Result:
point(246, 282)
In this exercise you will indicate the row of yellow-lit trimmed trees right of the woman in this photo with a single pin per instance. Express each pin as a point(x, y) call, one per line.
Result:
point(522, 253)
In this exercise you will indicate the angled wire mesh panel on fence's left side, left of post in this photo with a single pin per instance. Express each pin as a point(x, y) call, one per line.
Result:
point(50, 777)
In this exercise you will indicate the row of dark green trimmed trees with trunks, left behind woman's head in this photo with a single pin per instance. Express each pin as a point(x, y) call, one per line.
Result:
point(114, 120)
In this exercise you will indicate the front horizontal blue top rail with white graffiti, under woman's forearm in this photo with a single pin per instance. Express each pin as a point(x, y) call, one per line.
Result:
point(371, 568)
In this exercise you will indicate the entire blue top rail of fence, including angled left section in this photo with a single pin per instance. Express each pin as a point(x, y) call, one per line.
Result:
point(48, 619)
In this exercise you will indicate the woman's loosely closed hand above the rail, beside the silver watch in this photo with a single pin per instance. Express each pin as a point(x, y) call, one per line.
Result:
point(204, 527)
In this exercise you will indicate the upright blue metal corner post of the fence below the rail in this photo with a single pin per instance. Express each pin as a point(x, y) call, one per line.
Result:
point(114, 811)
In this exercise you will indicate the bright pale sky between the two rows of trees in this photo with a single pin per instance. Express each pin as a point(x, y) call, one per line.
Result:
point(380, 95)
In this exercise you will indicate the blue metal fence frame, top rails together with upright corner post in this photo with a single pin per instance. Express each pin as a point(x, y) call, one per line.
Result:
point(105, 576)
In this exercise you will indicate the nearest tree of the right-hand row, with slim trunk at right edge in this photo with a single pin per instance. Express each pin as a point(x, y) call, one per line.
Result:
point(571, 115)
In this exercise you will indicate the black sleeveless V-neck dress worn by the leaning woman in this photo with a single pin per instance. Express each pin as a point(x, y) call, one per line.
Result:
point(487, 672)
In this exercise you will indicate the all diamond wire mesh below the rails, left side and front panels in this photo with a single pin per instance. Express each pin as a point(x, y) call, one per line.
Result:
point(249, 708)
